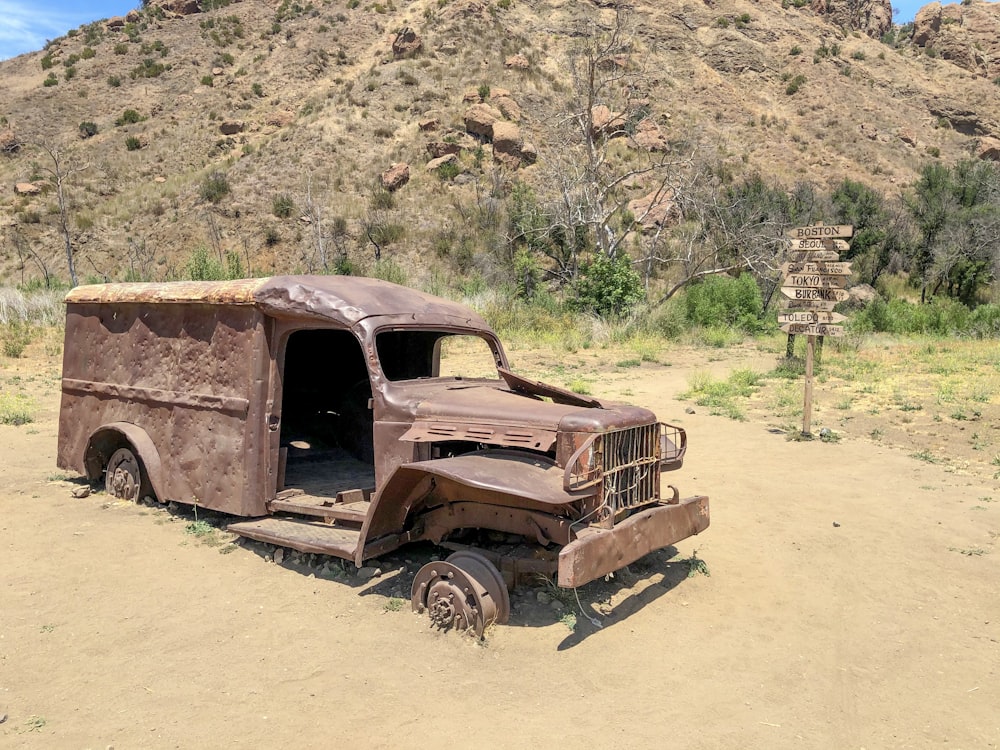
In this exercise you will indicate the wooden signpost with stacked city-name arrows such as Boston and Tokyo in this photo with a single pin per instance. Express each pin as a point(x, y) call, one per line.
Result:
point(813, 281)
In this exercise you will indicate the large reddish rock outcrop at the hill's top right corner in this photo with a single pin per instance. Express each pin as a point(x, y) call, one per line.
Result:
point(966, 35)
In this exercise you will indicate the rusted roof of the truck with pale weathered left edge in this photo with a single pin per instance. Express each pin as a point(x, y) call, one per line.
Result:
point(344, 299)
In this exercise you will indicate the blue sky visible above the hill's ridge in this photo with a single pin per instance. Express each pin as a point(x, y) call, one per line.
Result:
point(25, 25)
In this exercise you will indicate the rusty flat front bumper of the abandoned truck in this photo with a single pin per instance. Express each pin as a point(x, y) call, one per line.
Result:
point(596, 552)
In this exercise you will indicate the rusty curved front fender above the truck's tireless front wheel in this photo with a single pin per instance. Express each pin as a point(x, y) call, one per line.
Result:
point(522, 483)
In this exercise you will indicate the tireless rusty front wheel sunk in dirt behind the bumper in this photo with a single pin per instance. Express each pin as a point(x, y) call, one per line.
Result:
point(465, 592)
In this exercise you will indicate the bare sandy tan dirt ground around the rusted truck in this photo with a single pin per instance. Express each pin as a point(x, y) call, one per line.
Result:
point(852, 602)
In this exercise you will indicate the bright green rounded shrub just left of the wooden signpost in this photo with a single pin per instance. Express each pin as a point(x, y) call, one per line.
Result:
point(725, 302)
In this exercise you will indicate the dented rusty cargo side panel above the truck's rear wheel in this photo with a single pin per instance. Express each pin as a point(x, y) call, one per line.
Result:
point(179, 372)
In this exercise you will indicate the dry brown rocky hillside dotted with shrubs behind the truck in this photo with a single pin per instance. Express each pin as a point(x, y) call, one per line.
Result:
point(262, 128)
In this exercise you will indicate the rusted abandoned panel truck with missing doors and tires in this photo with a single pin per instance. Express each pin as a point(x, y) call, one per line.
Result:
point(348, 416)
